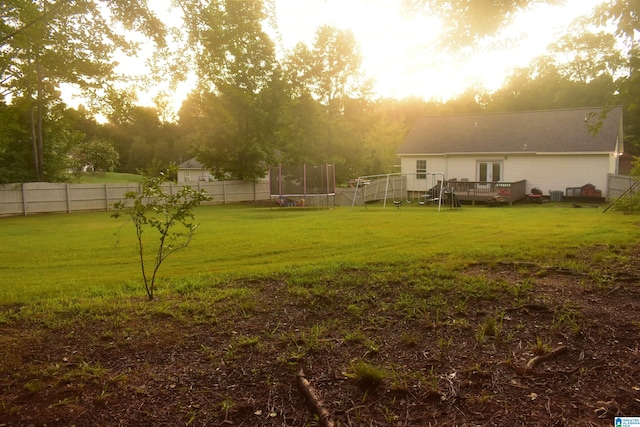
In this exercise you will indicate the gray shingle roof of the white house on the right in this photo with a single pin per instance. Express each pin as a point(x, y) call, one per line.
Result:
point(559, 131)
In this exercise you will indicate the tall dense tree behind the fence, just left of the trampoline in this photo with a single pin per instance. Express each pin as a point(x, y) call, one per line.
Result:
point(239, 89)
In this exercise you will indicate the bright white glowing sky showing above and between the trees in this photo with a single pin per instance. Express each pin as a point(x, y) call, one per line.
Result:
point(399, 51)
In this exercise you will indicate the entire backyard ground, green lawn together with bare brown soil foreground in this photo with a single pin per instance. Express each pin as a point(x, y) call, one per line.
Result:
point(399, 317)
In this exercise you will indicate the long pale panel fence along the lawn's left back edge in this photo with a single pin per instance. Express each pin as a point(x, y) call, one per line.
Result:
point(43, 197)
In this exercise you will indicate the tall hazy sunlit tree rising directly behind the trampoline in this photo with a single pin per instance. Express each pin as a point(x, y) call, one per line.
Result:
point(330, 100)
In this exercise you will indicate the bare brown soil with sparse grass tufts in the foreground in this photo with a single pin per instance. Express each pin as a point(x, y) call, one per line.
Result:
point(465, 365)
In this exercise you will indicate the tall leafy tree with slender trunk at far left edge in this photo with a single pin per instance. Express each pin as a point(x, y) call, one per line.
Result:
point(48, 42)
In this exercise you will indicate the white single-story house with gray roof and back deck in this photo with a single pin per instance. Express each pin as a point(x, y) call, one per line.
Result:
point(488, 154)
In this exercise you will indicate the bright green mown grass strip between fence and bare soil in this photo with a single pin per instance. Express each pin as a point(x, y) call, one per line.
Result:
point(75, 255)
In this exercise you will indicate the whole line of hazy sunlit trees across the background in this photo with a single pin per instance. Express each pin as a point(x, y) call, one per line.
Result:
point(253, 105)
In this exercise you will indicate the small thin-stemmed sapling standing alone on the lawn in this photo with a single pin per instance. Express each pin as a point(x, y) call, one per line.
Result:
point(171, 215)
